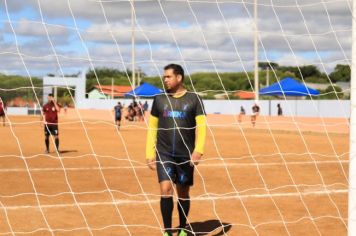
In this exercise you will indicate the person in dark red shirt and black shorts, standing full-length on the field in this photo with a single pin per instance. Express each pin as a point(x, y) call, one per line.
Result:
point(50, 113)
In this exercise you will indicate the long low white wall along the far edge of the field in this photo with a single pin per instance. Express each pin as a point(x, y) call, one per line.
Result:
point(302, 108)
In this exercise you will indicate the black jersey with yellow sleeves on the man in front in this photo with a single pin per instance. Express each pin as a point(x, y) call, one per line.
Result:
point(172, 125)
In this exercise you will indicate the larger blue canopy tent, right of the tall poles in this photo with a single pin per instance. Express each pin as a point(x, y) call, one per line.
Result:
point(288, 87)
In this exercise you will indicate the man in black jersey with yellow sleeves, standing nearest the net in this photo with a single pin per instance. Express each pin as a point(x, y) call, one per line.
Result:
point(176, 147)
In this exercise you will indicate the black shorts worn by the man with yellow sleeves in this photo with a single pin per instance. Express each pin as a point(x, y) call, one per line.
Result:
point(176, 169)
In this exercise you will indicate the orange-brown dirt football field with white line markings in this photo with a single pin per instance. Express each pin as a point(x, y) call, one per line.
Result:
point(283, 177)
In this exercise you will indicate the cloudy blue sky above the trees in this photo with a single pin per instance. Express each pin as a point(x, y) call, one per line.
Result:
point(38, 37)
